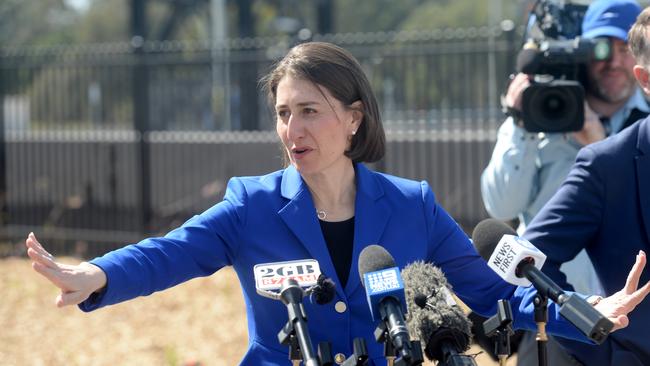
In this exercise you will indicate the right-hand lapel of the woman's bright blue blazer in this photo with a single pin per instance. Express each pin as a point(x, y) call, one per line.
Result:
point(371, 216)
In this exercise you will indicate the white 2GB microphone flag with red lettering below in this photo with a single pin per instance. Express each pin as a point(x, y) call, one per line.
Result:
point(270, 276)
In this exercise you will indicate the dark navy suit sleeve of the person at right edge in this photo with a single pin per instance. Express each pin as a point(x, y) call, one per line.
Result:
point(568, 223)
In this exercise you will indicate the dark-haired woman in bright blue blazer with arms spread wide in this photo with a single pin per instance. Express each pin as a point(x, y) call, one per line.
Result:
point(326, 205)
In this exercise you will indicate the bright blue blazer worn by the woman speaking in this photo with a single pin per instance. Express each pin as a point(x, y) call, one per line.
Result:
point(272, 218)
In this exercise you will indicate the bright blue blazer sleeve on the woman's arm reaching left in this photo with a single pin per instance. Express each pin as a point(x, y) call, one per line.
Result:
point(201, 246)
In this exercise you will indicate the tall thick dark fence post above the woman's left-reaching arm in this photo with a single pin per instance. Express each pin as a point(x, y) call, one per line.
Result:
point(141, 110)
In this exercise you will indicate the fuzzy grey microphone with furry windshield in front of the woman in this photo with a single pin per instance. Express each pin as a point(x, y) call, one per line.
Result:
point(434, 315)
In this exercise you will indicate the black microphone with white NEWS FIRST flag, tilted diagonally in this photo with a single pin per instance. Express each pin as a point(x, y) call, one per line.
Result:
point(518, 262)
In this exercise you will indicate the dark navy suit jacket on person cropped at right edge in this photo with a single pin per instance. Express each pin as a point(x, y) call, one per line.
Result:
point(604, 207)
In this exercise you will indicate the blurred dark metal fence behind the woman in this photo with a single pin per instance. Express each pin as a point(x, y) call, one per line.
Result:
point(102, 144)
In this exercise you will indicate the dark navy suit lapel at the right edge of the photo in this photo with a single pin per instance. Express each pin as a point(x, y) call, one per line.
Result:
point(643, 173)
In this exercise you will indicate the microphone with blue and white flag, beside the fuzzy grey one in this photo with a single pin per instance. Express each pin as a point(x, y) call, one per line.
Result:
point(385, 294)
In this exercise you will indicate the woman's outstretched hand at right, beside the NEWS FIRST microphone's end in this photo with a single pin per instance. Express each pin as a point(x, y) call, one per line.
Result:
point(617, 306)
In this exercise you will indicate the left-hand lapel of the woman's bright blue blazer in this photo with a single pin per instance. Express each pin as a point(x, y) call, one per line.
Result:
point(299, 214)
